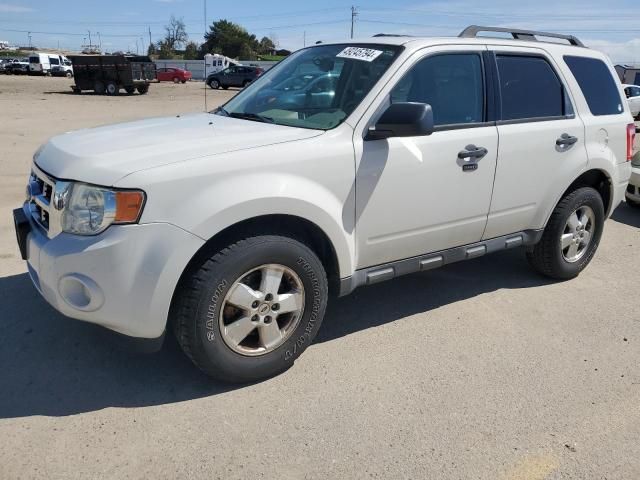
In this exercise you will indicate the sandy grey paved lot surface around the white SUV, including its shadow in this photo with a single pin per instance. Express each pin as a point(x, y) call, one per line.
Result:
point(480, 370)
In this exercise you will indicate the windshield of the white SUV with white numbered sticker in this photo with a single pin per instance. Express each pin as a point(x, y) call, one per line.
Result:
point(316, 88)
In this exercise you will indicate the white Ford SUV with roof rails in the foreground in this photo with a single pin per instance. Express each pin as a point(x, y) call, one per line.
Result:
point(234, 226)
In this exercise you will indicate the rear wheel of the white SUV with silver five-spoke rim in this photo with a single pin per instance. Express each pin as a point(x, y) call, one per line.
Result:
point(571, 236)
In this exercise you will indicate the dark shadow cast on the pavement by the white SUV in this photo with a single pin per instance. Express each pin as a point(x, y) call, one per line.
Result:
point(52, 365)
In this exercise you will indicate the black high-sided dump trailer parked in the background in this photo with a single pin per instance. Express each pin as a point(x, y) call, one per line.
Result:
point(110, 73)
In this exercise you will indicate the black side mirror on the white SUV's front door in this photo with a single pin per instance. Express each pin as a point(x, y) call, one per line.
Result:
point(405, 119)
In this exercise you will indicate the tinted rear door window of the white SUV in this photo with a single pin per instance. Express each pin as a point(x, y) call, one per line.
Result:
point(530, 88)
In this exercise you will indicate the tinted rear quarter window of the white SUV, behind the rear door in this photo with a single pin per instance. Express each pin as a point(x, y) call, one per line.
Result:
point(597, 84)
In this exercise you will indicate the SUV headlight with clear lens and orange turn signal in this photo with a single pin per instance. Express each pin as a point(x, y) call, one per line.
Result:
point(89, 210)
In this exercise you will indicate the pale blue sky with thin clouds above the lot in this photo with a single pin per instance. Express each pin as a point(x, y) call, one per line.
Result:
point(613, 26)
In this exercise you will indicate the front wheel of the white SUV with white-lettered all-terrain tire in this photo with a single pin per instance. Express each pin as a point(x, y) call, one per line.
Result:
point(247, 312)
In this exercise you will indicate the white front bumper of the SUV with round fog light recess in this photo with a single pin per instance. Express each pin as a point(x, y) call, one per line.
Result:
point(122, 279)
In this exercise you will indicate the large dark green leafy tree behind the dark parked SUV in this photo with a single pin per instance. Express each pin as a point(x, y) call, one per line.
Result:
point(231, 40)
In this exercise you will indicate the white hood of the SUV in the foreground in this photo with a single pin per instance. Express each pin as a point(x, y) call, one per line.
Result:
point(103, 155)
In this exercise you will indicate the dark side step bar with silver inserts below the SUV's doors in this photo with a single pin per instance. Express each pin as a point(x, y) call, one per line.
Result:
point(387, 271)
